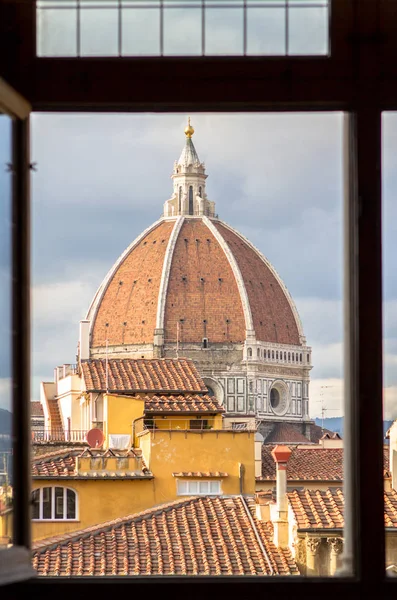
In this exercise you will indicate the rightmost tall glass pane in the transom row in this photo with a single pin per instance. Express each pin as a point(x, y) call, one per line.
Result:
point(308, 31)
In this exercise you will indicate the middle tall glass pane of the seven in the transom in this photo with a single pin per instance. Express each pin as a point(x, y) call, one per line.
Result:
point(182, 31)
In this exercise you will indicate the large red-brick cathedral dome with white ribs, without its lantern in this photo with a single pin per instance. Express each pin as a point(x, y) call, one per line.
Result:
point(196, 275)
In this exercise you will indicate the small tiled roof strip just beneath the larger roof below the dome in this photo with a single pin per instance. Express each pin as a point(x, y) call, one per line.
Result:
point(182, 404)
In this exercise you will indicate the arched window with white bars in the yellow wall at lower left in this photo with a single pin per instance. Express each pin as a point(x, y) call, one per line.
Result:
point(52, 503)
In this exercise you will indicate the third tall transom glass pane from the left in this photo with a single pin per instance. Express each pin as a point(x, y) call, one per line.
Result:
point(140, 32)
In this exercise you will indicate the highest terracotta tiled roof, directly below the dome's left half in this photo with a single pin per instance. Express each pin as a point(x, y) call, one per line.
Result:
point(135, 375)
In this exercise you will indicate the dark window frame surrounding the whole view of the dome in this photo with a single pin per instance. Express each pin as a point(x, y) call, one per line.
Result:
point(358, 77)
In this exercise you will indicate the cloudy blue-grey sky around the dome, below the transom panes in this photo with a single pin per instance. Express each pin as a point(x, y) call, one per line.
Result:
point(102, 179)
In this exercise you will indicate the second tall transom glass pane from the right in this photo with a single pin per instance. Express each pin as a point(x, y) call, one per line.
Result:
point(266, 31)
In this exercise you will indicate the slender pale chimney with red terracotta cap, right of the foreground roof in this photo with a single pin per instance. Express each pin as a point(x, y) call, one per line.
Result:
point(281, 455)
